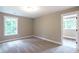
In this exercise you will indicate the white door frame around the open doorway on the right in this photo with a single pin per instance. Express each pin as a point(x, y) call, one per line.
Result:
point(64, 14)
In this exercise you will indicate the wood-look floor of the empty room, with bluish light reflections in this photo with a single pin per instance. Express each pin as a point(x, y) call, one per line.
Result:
point(34, 45)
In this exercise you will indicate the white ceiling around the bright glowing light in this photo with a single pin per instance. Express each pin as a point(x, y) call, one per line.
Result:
point(43, 10)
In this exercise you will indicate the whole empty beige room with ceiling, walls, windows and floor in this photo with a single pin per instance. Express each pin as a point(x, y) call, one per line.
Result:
point(39, 29)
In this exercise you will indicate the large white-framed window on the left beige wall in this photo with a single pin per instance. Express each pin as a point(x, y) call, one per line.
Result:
point(10, 25)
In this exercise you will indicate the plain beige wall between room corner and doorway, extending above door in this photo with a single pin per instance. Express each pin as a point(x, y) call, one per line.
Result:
point(49, 26)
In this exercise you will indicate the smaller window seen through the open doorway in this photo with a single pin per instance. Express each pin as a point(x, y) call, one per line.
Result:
point(70, 23)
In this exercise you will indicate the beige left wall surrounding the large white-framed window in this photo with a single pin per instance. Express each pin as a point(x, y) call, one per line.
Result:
point(24, 27)
